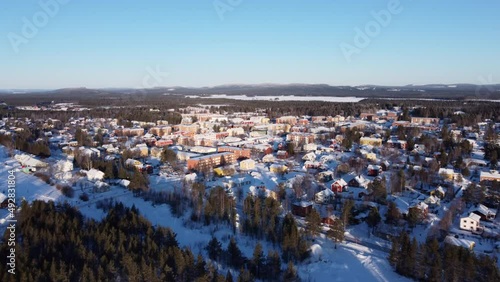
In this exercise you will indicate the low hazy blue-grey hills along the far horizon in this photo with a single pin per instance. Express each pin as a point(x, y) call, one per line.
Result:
point(434, 91)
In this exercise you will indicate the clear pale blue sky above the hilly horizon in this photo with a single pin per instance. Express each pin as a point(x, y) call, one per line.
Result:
point(96, 43)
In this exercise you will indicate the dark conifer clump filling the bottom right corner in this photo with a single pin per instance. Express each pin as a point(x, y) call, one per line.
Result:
point(432, 262)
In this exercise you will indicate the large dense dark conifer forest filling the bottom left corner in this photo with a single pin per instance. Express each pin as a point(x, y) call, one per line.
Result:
point(56, 243)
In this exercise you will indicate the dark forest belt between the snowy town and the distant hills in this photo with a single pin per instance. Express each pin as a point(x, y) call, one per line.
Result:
point(474, 111)
